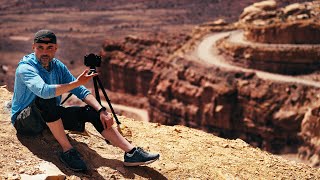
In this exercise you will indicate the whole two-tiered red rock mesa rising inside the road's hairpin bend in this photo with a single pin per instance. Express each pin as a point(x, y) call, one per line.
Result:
point(279, 40)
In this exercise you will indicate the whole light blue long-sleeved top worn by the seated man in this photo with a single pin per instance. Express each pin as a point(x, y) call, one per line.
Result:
point(33, 80)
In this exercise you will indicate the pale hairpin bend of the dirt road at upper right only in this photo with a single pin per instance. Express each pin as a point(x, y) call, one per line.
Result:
point(207, 52)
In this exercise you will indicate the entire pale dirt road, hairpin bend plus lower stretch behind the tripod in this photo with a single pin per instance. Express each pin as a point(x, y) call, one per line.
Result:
point(208, 53)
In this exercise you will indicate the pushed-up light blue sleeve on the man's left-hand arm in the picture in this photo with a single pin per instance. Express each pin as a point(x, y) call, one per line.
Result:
point(35, 83)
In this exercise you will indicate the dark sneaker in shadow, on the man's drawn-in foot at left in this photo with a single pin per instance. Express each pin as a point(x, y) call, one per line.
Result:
point(72, 160)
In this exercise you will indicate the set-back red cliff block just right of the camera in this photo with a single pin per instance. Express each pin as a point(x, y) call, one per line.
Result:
point(130, 65)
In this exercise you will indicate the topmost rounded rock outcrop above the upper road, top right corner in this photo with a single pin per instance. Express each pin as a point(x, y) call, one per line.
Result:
point(293, 24)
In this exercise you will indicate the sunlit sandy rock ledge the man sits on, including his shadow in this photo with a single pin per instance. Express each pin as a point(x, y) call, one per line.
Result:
point(185, 154)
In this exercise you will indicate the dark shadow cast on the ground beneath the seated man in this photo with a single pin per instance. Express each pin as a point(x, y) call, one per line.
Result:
point(46, 147)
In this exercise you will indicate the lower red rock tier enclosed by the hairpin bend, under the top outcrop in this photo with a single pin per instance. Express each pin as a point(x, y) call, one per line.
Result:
point(292, 59)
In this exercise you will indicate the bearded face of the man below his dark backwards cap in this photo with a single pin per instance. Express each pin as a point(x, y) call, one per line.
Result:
point(44, 52)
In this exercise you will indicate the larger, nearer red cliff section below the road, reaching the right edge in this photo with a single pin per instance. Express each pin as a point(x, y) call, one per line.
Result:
point(231, 104)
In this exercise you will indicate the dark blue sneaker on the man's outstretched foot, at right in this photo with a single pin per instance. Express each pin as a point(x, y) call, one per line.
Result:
point(139, 157)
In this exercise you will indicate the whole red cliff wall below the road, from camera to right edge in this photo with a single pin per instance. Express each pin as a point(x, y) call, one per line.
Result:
point(231, 104)
